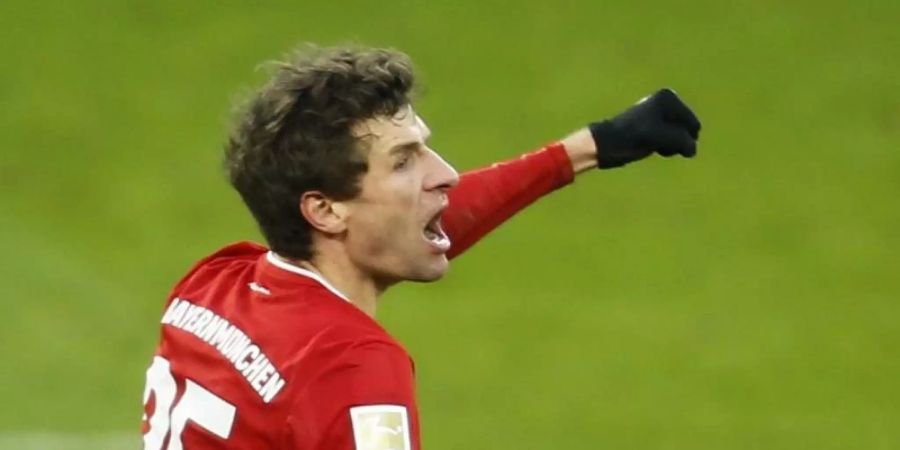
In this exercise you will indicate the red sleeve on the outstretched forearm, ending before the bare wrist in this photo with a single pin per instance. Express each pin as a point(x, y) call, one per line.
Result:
point(485, 198)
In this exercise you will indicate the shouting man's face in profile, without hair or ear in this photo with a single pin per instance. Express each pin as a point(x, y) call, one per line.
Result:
point(393, 226)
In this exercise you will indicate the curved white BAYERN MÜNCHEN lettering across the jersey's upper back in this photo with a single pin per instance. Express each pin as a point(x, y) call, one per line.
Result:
point(248, 358)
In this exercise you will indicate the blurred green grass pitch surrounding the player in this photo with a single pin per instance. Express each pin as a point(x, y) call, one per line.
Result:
point(747, 299)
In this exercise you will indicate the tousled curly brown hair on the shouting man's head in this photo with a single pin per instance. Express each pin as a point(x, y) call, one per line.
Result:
point(295, 135)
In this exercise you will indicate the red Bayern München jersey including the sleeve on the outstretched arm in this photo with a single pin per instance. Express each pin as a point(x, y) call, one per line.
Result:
point(256, 353)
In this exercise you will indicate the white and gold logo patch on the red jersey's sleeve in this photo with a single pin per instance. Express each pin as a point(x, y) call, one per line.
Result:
point(380, 427)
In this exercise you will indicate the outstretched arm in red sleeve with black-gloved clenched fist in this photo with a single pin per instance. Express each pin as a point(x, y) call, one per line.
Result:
point(487, 197)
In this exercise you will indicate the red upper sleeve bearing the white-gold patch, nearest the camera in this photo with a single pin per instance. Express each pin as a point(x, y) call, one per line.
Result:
point(370, 392)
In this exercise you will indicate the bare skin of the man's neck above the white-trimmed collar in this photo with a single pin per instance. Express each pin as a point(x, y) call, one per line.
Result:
point(360, 289)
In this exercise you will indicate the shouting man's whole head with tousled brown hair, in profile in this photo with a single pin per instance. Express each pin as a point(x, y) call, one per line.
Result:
point(330, 157)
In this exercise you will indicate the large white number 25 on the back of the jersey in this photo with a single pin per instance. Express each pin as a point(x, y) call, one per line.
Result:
point(197, 404)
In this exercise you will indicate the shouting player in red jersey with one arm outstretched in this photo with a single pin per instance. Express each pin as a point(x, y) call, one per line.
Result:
point(278, 347)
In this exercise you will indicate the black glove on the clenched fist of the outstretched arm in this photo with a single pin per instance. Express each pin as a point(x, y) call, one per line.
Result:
point(659, 123)
